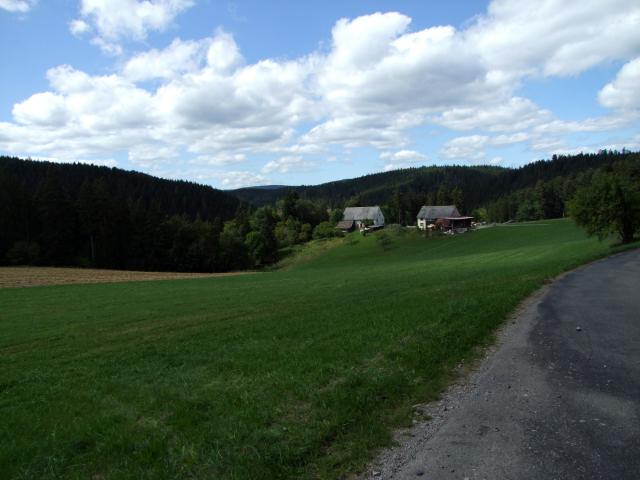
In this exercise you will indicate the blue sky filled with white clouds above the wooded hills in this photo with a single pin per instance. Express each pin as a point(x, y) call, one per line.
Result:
point(242, 93)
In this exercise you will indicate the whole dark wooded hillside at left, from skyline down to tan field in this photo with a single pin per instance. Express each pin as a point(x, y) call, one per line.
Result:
point(75, 214)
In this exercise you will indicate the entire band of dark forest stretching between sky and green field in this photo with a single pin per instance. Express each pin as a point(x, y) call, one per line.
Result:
point(84, 215)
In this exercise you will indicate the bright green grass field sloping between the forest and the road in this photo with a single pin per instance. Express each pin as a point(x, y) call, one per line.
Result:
point(298, 373)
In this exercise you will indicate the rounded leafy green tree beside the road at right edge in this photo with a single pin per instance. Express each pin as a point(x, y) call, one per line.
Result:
point(609, 203)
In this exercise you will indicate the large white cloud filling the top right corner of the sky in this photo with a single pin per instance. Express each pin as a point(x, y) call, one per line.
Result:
point(557, 37)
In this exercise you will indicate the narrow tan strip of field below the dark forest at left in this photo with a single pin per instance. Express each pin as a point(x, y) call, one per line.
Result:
point(11, 277)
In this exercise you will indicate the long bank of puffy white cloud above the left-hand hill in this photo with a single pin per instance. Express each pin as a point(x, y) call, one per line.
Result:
point(208, 103)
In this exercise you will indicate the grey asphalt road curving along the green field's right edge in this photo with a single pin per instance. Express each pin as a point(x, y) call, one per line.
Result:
point(560, 398)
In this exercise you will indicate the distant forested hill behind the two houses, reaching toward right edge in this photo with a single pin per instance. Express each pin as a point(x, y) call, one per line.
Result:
point(479, 185)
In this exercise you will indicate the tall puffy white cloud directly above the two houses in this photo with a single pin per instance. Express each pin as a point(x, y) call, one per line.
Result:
point(380, 79)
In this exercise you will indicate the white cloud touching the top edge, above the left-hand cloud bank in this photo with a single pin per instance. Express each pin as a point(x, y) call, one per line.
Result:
point(114, 21)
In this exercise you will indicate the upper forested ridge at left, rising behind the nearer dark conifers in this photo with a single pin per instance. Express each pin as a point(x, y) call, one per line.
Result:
point(169, 197)
